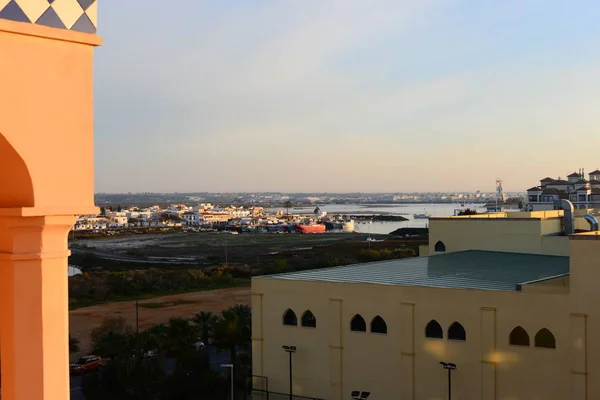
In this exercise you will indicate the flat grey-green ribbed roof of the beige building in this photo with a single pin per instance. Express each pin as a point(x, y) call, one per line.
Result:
point(473, 269)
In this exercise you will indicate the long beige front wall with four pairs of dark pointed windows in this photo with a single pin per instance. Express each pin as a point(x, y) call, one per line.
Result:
point(331, 360)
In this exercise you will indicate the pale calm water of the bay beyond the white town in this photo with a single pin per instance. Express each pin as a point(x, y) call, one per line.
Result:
point(405, 210)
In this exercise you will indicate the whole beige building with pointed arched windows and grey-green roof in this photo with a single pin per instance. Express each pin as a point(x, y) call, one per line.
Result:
point(511, 299)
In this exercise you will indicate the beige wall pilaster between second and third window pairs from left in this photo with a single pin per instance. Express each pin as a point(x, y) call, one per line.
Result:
point(407, 349)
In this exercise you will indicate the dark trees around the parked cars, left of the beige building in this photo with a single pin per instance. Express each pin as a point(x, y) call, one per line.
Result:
point(167, 361)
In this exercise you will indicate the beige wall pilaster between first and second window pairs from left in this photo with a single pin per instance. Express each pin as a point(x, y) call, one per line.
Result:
point(336, 348)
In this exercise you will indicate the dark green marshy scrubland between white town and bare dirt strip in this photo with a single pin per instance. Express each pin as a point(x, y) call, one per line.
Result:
point(249, 255)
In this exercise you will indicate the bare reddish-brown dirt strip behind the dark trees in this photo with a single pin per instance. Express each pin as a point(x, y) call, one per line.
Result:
point(154, 311)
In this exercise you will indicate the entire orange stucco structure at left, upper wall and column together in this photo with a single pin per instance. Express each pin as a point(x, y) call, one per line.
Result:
point(46, 179)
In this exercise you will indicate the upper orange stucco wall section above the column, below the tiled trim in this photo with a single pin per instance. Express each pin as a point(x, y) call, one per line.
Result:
point(46, 116)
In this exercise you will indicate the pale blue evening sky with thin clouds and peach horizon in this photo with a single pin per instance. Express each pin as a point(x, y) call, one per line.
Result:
point(344, 95)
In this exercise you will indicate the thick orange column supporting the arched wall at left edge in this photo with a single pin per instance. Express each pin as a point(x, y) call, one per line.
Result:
point(34, 319)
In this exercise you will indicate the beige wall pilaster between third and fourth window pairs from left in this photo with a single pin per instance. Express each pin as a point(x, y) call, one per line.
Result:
point(488, 349)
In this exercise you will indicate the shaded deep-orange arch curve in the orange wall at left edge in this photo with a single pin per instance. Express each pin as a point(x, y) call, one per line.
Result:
point(16, 188)
